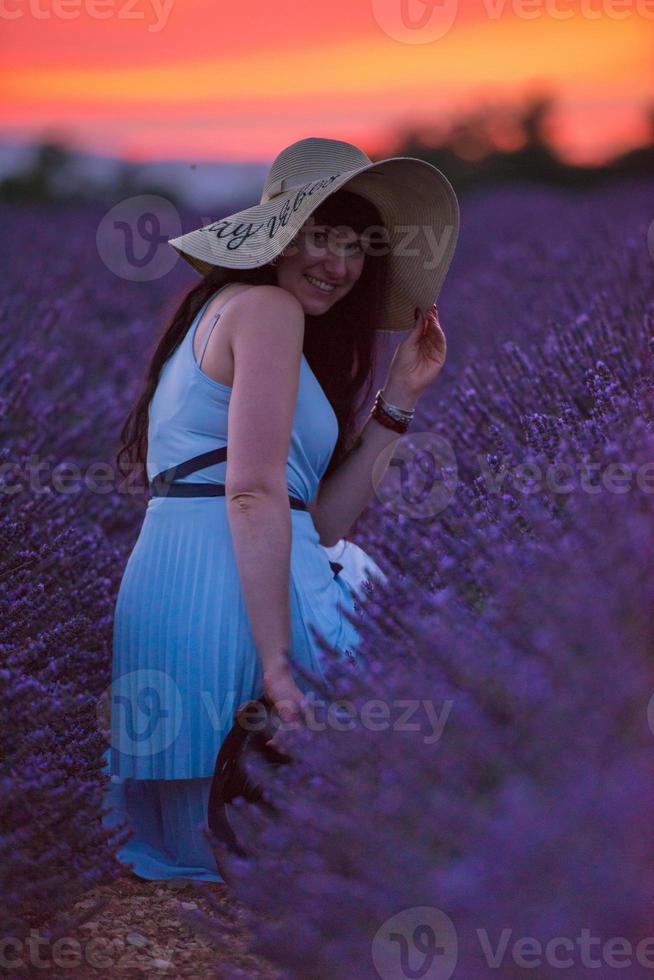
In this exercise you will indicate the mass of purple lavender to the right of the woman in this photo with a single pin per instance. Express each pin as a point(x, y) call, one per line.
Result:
point(502, 828)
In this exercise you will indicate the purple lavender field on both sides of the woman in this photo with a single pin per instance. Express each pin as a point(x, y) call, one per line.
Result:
point(501, 828)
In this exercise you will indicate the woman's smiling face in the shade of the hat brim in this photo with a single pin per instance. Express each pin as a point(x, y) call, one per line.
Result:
point(333, 256)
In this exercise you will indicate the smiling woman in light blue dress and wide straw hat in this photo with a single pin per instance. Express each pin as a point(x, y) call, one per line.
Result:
point(271, 354)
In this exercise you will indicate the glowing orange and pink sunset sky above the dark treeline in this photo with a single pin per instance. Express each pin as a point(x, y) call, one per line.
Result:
point(241, 79)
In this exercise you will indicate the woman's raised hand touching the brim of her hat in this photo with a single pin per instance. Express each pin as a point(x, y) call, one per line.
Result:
point(418, 358)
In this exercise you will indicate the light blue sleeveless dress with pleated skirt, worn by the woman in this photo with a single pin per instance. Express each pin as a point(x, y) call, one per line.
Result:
point(184, 657)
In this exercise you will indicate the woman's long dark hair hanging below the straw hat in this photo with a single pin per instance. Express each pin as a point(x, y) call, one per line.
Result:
point(339, 345)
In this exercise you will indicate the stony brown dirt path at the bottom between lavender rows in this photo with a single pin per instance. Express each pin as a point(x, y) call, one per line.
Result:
point(141, 932)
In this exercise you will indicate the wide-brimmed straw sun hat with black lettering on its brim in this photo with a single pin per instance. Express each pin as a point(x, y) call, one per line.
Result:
point(417, 203)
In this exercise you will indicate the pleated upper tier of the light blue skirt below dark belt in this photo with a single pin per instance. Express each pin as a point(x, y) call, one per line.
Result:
point(184, 657)
